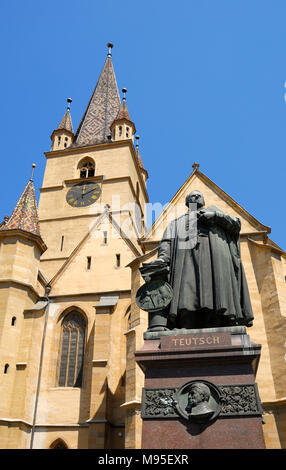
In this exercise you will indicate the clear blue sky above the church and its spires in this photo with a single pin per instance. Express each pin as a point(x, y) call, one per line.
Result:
point(205, 81)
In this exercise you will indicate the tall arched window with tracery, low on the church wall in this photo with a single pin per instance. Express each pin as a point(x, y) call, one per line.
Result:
point(72, 350)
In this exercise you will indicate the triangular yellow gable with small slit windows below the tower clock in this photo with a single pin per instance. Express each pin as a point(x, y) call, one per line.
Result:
point(98, 263)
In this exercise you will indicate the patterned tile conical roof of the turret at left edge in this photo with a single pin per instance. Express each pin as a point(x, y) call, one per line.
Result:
point(25, 214)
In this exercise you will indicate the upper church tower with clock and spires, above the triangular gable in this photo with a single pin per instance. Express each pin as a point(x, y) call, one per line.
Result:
point(99, 166)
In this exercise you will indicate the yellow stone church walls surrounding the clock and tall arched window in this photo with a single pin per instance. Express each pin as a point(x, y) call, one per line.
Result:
point(89, 258)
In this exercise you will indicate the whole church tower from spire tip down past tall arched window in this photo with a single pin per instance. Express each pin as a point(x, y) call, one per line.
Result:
point(91, 215)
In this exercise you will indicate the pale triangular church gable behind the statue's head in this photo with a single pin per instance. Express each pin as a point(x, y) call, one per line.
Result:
point(214, 196)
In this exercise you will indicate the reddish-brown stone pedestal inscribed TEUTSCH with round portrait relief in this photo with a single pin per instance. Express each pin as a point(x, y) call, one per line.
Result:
point(219, 362)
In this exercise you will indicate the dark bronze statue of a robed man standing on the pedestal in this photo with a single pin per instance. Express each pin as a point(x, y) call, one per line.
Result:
point(201, 252)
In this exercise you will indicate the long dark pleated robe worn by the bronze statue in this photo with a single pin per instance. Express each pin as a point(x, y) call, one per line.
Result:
point(210, 275)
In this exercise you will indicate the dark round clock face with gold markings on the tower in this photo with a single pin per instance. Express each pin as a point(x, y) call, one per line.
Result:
point(83, 194)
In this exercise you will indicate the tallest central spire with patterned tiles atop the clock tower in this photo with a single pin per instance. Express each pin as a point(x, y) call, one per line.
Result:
point(102, 109)
